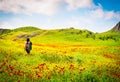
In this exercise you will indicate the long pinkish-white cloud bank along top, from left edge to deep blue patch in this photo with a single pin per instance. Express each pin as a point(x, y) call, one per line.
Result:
point(47, 7)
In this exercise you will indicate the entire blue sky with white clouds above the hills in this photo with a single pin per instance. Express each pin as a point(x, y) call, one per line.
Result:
point(93, 15)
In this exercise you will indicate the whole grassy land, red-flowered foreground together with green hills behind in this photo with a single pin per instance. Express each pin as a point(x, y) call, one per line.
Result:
point(66, 55)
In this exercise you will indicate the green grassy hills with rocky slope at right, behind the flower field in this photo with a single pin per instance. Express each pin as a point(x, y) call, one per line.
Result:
point(60, 36)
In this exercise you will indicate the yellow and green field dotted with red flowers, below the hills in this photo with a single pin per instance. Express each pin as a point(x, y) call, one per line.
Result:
point(58, 63)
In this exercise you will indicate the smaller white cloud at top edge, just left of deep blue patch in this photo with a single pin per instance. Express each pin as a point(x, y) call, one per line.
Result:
point(74, 4)
